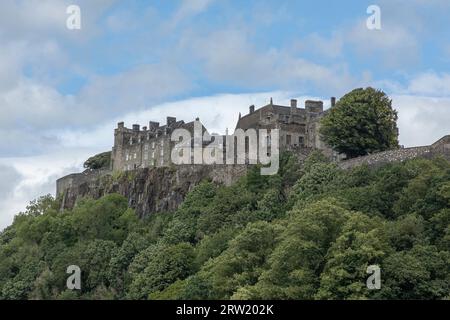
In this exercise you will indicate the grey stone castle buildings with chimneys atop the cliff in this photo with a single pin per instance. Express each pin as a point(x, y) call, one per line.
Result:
point(152, 146)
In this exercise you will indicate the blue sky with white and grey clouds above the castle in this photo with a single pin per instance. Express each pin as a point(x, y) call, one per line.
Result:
point(63, 91)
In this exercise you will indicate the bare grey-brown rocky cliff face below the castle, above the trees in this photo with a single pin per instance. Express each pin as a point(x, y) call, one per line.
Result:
point(147, 190)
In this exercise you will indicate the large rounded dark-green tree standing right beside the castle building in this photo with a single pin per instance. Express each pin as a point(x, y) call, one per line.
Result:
point(363, 121)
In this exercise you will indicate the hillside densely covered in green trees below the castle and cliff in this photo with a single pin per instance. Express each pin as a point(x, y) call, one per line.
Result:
point(307, 233)
